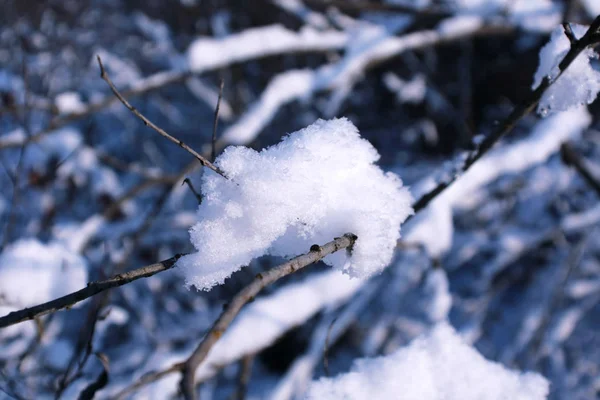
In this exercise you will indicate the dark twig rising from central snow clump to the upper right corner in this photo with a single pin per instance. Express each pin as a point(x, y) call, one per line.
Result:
point(591, 37)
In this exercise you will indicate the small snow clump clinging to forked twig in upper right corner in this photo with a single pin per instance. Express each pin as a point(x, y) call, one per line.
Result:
point(579, 84)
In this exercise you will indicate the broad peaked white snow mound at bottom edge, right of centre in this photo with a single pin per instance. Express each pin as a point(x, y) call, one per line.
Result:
point(436, 366)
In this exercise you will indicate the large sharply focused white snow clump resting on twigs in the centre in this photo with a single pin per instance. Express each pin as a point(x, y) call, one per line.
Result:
point(316, 184)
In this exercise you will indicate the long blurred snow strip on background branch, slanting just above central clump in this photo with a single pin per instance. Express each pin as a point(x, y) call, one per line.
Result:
point(371, 45)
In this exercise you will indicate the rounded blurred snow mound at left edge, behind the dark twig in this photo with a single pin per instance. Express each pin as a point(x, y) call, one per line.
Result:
point(32, 273)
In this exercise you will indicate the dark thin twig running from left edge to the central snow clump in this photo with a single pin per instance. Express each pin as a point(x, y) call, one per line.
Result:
point(90, 290)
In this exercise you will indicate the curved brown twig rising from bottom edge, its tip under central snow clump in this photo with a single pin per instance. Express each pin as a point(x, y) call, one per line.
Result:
point(262, 280)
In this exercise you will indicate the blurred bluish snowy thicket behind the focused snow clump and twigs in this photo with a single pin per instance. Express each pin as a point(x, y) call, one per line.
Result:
point(88, 191)
